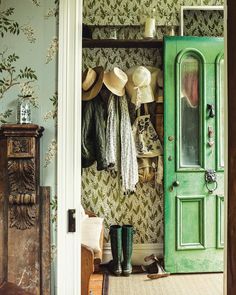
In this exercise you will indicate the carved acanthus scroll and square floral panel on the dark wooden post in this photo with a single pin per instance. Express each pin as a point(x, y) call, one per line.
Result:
point(22, 186)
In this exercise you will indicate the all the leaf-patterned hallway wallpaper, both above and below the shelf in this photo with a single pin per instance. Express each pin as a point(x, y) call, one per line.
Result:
point(100, 190)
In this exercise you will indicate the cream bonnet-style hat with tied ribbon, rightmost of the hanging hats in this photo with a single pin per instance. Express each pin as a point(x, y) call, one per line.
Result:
point(139, 86)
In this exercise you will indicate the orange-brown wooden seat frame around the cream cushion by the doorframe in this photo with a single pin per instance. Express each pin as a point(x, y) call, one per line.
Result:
point(90, 261)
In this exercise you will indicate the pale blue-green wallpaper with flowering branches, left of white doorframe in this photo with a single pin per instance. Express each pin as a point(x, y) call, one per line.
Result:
point(28, 66)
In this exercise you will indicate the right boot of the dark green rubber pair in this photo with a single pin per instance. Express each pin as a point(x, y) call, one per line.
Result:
point(127, 244)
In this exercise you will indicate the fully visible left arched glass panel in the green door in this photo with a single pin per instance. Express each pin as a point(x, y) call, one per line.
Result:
point(190, 112)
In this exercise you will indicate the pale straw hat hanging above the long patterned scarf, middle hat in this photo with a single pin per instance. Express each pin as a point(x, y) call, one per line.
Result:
point(115, 81)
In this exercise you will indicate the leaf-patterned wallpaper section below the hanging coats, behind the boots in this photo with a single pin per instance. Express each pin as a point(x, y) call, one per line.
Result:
point(101, 193)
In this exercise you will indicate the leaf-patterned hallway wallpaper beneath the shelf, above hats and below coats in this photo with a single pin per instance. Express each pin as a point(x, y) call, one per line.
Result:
point(101, 191)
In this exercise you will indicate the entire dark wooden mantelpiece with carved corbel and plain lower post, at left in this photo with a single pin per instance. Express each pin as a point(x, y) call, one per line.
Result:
point(24, 210)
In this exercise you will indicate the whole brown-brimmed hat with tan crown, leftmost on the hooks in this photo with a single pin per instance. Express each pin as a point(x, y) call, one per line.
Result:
point(92, 81)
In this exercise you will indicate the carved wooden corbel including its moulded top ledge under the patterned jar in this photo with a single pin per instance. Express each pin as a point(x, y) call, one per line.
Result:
point(22, 166)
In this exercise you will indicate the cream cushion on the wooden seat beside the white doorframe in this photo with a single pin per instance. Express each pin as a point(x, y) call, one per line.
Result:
point(91, 228)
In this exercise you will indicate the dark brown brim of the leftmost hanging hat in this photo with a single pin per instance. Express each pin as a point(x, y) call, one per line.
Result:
point(93, 92)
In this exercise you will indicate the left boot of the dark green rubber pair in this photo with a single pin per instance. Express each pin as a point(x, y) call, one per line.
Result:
point(116, 249)
